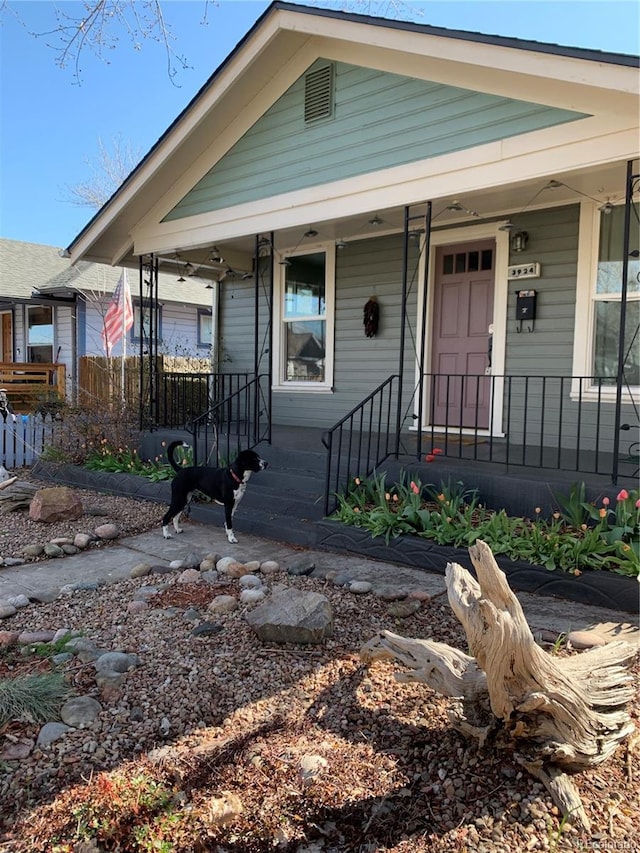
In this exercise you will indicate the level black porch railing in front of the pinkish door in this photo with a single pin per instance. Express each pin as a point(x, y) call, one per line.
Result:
point(552, 422)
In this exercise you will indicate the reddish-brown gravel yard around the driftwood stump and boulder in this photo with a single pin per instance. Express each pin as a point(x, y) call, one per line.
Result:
point(221, 742)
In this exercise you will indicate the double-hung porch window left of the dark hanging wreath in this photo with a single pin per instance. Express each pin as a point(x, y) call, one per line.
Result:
point(305, 327)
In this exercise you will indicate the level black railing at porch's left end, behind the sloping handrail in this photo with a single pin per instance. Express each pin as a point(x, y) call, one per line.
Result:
point(183, 397)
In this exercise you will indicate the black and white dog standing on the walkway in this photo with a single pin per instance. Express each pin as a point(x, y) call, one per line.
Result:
point(225, 486)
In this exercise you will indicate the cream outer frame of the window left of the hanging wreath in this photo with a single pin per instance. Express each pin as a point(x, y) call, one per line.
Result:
point(280, 382)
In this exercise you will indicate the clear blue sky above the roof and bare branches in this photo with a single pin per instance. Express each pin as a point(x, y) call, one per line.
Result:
point(50, 126)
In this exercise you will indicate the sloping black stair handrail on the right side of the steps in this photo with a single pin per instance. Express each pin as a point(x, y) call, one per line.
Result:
point(361, 440)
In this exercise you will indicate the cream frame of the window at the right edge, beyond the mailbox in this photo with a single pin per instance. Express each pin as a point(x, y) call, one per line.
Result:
point(585, 312)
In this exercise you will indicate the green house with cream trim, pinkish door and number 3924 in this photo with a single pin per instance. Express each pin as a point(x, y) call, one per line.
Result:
point(484, 189)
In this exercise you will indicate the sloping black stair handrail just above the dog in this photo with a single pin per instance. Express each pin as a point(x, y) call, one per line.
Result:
point(239, 421)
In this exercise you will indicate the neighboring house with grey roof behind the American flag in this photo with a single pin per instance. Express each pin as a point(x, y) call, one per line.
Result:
point(52, 311)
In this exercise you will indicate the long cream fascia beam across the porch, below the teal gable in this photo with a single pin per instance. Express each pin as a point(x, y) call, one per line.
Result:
point(489, 166)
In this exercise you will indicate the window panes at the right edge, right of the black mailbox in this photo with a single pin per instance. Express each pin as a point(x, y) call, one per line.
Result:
point(607, 300)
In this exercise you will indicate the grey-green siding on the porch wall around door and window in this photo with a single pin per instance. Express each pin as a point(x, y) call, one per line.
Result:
point(374, 267)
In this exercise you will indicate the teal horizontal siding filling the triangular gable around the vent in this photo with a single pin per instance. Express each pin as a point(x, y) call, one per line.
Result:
point(381, 120)
